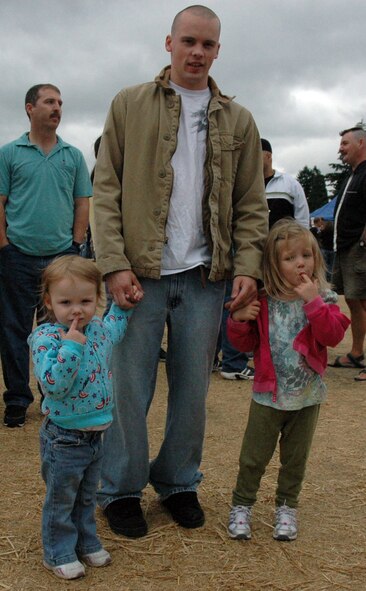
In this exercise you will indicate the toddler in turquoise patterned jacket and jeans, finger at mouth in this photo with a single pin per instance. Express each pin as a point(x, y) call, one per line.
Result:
point(71, 357)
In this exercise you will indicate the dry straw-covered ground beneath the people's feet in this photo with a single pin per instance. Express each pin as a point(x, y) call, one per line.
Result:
point(329, 554)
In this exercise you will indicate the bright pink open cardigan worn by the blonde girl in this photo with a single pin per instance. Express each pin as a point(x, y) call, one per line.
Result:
point(326, 327)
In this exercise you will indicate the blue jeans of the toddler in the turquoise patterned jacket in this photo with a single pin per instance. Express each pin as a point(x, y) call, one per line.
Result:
point(71, 463)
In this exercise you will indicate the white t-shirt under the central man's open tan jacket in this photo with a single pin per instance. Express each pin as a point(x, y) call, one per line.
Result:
point(186, 246)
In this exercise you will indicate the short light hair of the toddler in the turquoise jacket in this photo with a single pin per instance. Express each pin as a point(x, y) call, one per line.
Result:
point(72, 266)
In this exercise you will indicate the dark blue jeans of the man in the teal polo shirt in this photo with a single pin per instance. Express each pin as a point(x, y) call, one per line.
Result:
point(20, 276)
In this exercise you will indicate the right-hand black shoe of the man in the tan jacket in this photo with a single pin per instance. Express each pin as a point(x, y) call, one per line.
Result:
point(185, 509)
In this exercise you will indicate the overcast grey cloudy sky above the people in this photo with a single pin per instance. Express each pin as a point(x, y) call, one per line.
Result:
point(298, 65)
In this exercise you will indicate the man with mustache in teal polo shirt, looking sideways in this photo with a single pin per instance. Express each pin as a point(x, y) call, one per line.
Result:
point(44, 212)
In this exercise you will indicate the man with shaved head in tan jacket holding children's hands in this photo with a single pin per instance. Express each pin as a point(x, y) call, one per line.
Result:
point(178, 188)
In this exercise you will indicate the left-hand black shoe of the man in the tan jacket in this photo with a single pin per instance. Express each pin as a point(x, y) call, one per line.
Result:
point(125, 517)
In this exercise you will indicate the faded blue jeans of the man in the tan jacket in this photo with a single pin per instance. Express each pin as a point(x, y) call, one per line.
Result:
point(191, 307)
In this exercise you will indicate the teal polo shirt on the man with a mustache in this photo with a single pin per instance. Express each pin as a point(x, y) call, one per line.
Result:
point(41, 190)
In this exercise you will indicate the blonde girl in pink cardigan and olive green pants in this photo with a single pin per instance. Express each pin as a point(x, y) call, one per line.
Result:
point(288, 328)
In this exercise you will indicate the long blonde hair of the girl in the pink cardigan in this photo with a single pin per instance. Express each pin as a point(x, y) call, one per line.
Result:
point(275, 284)
